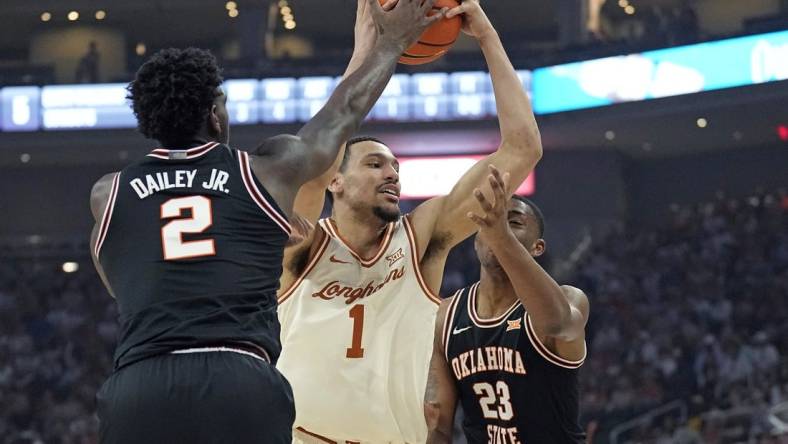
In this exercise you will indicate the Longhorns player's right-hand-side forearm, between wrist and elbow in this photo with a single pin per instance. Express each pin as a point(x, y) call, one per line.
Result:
point(516, 117)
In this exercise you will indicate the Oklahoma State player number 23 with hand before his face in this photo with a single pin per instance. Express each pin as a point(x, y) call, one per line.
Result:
point(508, 347)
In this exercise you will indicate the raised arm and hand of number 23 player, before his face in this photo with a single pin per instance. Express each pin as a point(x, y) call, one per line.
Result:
point(558, 312)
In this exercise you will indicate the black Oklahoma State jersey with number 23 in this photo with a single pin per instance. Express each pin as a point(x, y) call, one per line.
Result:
point(511, 387)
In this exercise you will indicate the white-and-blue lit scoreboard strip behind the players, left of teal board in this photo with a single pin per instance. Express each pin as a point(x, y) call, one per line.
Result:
point(406, 98)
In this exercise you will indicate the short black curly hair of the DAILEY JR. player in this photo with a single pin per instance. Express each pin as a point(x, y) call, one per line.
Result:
point(173, 92)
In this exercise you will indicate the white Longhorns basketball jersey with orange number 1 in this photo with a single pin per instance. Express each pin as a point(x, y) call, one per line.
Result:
point(357, 339)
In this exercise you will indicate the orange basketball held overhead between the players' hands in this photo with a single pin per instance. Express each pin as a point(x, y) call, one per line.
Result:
point(436, 40)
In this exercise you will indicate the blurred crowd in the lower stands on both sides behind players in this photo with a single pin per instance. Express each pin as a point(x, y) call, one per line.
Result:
point(693, 312)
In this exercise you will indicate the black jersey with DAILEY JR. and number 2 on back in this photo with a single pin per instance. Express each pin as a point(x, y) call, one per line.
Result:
point(192, 244)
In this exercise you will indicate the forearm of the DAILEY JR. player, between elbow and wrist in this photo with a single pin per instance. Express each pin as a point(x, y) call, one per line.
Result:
point(348, 106)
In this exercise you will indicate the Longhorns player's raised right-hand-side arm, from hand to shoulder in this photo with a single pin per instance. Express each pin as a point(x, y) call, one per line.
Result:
point(519, 151)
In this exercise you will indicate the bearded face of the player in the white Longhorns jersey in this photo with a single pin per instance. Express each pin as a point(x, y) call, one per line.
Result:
point(370, 181)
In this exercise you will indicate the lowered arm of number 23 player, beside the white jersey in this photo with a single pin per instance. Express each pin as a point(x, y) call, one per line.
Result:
point(440, 397)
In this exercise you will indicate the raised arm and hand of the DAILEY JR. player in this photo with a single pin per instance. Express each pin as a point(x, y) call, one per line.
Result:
point(290, 161)
